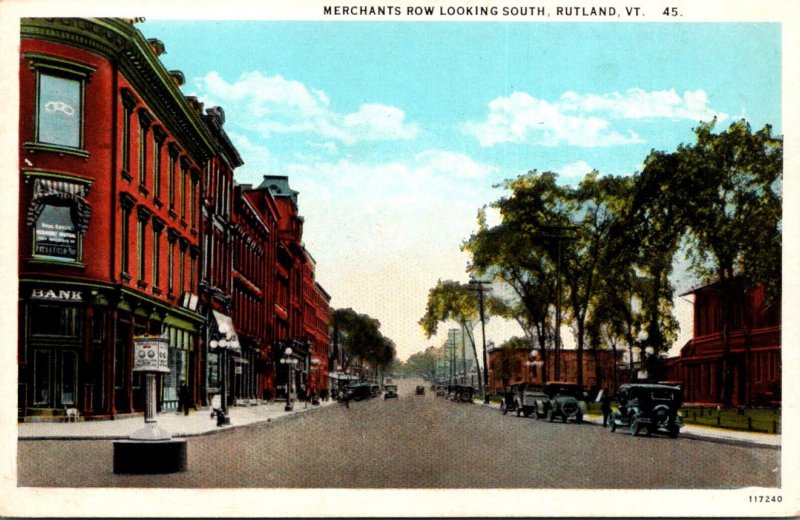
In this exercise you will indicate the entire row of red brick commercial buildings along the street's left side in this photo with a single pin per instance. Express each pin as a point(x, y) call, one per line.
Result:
point(131, 223)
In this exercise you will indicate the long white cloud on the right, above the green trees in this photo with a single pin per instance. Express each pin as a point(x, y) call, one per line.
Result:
point(584, 119)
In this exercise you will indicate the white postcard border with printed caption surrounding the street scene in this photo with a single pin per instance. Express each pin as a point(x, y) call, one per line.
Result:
point(498, 503)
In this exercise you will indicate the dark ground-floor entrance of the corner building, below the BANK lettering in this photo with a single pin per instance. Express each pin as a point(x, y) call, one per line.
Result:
point(55, 378)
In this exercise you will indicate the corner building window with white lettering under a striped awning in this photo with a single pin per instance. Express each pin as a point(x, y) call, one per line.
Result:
point(55, 234)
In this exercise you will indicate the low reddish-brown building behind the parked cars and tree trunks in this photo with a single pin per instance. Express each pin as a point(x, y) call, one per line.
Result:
point(600, 368)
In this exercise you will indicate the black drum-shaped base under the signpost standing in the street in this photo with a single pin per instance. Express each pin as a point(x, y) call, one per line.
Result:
point(141, 457)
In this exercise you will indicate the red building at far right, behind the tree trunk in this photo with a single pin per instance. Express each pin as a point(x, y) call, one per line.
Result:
point(754, 344)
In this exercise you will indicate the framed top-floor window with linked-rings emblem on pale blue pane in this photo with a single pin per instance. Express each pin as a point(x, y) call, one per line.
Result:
point(59, 102)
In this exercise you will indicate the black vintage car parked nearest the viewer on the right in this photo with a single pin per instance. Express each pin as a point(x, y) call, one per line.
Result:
point(649, 407)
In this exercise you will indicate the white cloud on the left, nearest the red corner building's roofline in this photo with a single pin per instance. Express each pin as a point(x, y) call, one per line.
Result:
point(274, 105)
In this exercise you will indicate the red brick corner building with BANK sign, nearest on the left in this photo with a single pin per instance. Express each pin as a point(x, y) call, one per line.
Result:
point(111, 156)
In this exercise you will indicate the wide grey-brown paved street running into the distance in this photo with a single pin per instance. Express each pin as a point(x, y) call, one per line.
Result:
point(415, 442)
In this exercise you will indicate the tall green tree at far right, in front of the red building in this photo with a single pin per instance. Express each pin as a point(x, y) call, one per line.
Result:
point(735, 217)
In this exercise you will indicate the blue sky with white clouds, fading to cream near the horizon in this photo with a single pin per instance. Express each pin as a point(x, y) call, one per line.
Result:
point(396, 133)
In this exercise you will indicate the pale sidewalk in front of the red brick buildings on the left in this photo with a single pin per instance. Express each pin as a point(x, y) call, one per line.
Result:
point(198, 422)
